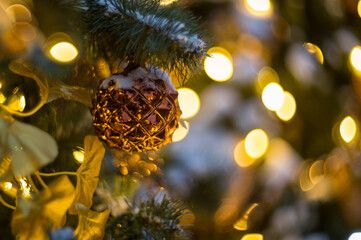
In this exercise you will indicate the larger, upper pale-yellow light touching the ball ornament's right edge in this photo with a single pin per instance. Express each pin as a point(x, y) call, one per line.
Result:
point(189, 102)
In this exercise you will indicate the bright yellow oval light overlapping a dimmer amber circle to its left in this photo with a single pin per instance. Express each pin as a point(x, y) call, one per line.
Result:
point(256, 143)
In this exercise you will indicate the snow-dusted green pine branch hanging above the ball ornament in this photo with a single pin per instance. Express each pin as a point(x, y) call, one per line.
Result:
point(144, 32)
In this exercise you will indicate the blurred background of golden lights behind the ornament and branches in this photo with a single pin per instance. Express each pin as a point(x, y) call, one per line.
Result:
point(270, 144)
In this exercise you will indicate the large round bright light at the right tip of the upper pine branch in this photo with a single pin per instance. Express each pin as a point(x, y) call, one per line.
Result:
point(218, 66)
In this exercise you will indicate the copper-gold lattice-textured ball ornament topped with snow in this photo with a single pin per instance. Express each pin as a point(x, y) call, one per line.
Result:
point(136, 112)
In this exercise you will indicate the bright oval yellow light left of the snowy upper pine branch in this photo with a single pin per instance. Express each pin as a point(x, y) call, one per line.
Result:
point(64, 52)
